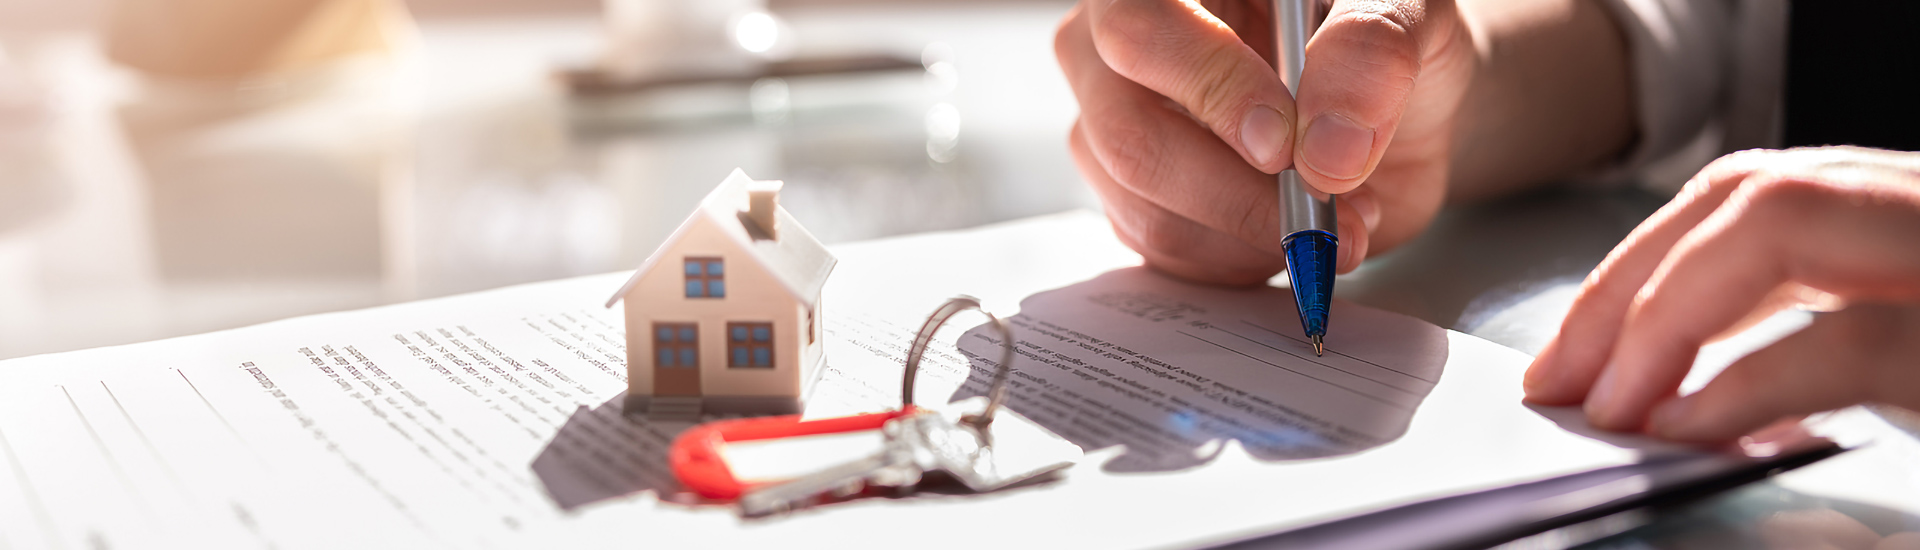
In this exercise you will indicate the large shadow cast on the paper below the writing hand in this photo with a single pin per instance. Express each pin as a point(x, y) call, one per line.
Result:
point(1170, 372)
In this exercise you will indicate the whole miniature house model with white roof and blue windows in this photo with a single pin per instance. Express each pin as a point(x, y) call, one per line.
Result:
point(725, 316)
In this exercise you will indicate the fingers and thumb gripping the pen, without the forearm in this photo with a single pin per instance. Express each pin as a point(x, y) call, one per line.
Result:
point(1184, 124)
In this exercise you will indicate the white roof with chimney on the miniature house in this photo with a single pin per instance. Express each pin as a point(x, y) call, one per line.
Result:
point(798, 261)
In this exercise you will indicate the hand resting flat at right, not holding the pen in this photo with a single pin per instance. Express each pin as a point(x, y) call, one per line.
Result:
point(1752, 234)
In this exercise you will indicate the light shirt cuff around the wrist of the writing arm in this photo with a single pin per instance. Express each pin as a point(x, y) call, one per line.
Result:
point(1708, 78)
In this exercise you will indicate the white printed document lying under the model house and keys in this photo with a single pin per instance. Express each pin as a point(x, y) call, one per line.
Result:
point(494, 420)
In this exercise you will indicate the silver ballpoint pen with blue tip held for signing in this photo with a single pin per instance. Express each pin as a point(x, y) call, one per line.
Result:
point(1308, 226)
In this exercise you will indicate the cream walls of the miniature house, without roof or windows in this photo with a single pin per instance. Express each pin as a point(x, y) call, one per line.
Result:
point(754, 295)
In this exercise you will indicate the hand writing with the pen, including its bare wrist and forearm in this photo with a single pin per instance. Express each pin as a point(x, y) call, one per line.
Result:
point(1186, 120)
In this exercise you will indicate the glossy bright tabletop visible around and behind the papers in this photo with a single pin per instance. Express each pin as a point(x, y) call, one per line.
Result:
point(141, 211)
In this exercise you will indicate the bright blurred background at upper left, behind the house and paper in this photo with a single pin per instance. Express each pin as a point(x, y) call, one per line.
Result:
point(183, 166)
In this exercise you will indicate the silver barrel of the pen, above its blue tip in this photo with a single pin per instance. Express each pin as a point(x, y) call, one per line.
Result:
point(1293, 26)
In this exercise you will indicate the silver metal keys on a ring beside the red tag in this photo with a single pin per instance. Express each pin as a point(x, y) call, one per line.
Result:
point(984, 451)
